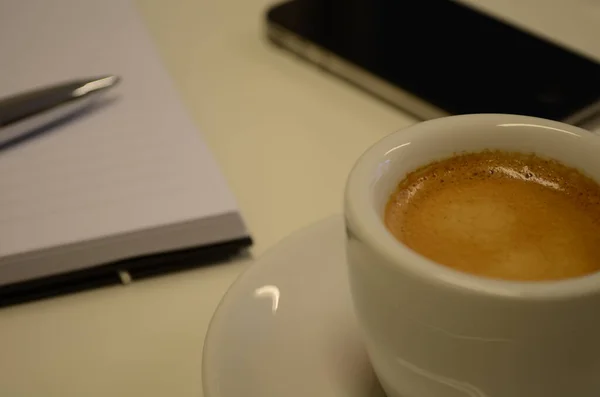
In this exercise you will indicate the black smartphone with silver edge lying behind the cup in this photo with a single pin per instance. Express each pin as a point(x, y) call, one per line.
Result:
point(439, 57)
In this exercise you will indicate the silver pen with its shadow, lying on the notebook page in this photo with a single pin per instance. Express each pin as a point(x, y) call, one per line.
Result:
point(27, 112)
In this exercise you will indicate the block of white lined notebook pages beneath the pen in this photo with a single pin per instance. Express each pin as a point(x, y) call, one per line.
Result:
point(130, 179)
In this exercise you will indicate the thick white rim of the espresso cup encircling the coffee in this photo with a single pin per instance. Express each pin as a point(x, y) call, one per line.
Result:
point(369, 227)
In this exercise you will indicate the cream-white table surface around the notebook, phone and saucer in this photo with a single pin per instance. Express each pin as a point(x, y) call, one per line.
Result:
point(285, 135)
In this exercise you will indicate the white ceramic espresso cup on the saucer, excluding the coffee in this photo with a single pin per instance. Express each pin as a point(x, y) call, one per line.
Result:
point(432, 331)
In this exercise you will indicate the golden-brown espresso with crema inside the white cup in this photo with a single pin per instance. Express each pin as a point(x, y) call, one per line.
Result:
point(501, 215)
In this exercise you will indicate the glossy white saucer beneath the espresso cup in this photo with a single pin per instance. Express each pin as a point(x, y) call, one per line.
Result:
point(286, 326)
